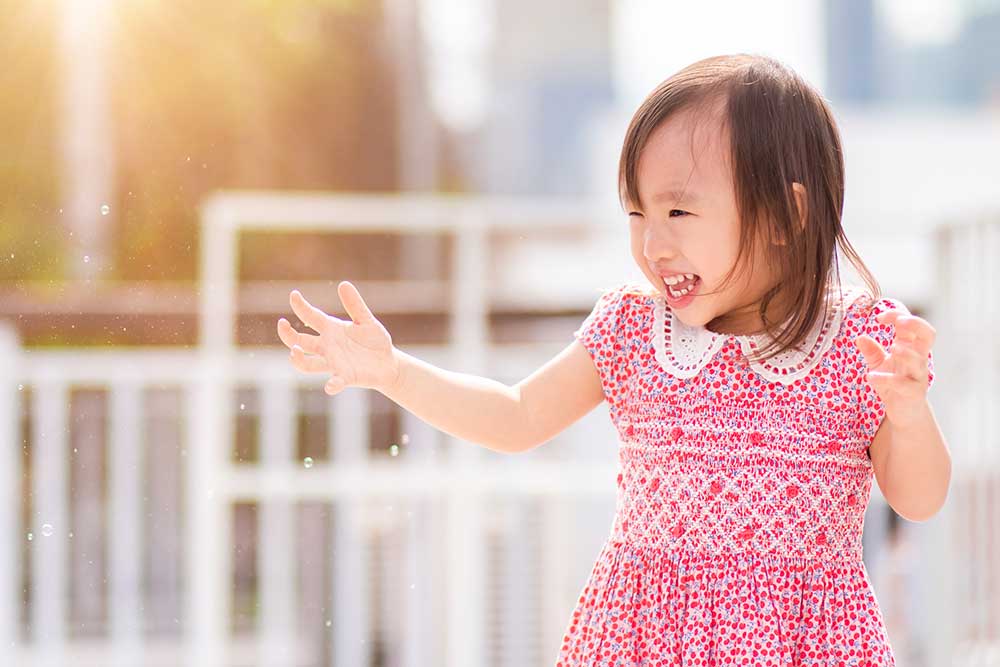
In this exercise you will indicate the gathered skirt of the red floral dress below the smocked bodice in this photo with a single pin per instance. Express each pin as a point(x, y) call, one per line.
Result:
point(641, 609)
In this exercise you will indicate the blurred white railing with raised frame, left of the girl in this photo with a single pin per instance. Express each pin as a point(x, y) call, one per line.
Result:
point(443, 482)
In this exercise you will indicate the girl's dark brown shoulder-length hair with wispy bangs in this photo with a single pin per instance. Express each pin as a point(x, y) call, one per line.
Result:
point(781, 131)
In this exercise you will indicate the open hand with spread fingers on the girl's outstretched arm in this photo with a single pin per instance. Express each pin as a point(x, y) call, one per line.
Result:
point(354, 353)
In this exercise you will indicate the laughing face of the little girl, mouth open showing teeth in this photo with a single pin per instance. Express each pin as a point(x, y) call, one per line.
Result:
point(687, 222)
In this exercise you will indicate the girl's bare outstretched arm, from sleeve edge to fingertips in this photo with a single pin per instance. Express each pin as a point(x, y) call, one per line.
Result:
point(508, 419)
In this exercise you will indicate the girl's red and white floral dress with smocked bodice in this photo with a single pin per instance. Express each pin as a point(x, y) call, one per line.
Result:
point(741, 494)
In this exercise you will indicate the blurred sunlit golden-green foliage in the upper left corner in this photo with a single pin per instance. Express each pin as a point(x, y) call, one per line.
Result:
point(276, 94)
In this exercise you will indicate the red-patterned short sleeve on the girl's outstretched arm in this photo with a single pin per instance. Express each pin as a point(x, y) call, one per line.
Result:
point(603, 334)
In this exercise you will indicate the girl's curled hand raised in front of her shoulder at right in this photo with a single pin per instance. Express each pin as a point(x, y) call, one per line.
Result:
point(900, 377)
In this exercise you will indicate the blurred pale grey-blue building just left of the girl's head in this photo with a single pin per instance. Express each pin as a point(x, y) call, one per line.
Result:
point(549, 75)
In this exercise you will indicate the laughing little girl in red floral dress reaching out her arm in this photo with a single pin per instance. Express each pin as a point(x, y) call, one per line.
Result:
point(754, 395)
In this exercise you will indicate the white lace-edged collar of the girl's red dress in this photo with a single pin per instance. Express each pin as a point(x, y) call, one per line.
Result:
point(683, 350)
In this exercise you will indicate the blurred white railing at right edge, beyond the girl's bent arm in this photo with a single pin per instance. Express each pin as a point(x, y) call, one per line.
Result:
point(962, 546)
